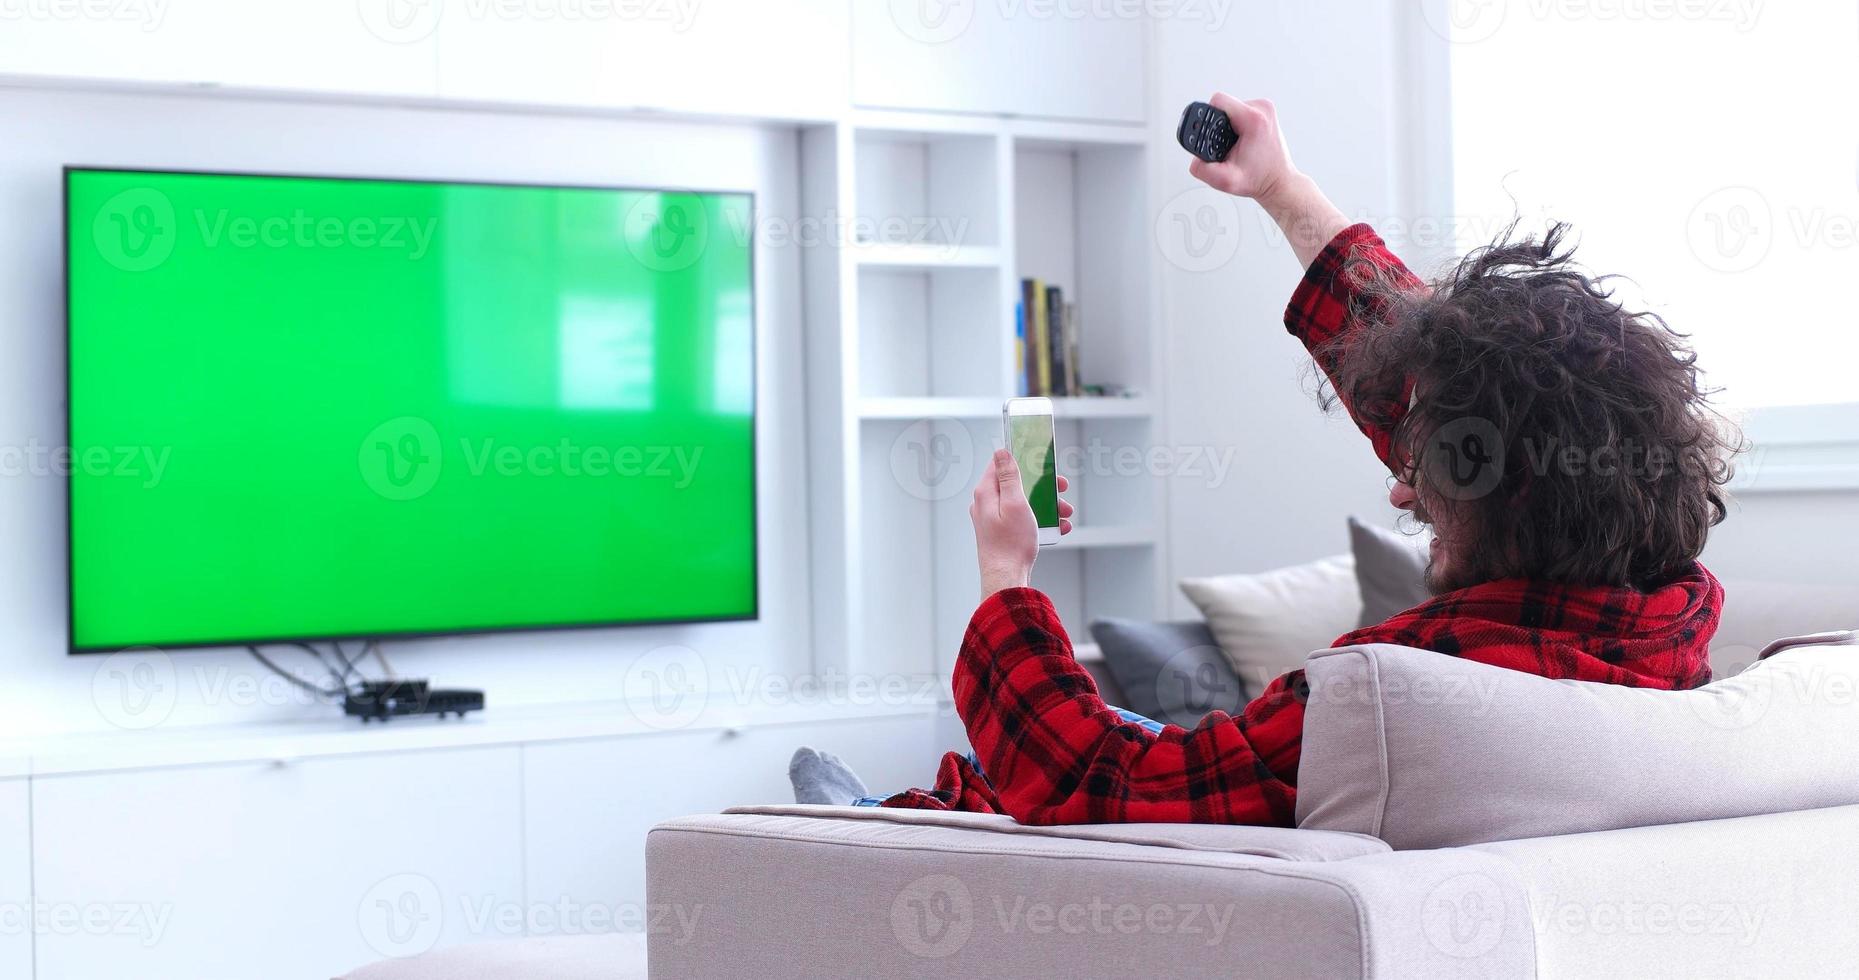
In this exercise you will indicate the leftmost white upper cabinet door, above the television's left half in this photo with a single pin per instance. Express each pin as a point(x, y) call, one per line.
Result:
point(315, 46)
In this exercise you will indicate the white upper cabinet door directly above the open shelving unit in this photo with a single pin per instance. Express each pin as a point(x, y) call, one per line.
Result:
point(1025, 59)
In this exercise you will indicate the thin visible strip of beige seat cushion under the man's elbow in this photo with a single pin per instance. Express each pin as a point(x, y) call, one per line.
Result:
point(1282, 843)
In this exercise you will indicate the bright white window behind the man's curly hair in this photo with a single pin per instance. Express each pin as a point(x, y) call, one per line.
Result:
point(1707, 150)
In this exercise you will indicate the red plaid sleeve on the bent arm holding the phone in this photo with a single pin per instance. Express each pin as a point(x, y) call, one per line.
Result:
point(1055, 754)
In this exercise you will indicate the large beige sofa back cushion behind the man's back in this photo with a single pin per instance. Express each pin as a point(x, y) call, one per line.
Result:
point(1431, 752)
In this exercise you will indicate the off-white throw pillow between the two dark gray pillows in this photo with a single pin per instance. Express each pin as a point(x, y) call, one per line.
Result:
point(1271, 622)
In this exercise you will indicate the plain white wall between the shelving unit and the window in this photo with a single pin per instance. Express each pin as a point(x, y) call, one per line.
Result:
point(1235, 382)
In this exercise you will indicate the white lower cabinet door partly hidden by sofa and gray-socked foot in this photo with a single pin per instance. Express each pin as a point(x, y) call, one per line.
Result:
point(592, 802)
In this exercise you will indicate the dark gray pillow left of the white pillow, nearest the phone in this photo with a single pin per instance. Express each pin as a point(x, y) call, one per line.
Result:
point(1170, 672)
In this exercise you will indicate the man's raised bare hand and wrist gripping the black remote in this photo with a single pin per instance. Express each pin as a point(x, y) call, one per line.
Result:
point(1259, 168)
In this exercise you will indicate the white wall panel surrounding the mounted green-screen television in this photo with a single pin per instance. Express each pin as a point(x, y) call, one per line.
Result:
point(47, 691)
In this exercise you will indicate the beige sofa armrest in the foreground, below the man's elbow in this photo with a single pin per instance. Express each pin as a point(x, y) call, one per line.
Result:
point(776, 895)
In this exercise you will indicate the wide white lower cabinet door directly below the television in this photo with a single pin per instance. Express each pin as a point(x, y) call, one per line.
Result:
point(282, 871)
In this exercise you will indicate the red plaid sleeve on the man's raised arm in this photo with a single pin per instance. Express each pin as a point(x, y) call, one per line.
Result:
point(1336, 300)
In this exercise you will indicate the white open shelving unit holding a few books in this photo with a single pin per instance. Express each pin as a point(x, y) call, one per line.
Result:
point(912, 356)
